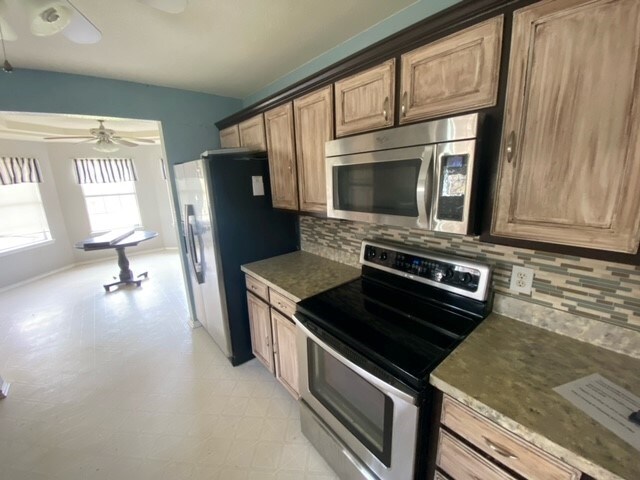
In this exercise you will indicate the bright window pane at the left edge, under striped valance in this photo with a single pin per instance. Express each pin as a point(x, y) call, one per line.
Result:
point(23, 218)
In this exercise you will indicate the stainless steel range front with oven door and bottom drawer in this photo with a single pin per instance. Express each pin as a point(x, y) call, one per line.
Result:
point(371, 419)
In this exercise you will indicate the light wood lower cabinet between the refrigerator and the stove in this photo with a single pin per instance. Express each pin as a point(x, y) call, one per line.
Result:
point(273, 333)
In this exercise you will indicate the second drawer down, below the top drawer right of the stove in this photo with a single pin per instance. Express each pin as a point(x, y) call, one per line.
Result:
point(462, 463)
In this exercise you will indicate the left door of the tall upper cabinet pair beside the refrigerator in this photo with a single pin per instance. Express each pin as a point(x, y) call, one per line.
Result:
point(282, 157)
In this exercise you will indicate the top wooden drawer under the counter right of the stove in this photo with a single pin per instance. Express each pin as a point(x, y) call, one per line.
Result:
point(505, 447)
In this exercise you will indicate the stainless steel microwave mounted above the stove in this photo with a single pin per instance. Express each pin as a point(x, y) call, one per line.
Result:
point(417, 176)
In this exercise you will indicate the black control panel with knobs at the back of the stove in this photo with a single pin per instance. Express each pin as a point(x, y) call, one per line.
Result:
point(423, 266)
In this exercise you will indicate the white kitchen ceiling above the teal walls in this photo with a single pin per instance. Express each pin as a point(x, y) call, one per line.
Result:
point(228, 47)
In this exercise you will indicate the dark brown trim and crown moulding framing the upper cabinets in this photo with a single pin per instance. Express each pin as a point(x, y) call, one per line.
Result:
point(450, 20)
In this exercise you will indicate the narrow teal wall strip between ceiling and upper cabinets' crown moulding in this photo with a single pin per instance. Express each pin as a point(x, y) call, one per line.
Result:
point(399, 21)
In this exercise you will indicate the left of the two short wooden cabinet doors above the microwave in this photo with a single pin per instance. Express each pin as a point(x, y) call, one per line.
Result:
point(365, 101)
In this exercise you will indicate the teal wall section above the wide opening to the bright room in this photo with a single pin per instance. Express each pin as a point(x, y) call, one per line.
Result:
point(188, 118)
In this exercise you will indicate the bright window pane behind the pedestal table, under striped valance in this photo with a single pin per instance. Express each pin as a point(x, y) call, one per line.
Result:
point(111, 205)
